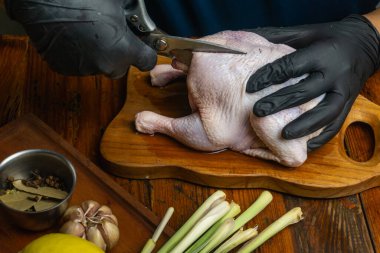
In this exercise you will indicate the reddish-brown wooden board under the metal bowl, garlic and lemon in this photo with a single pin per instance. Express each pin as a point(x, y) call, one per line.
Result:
point(136, 222)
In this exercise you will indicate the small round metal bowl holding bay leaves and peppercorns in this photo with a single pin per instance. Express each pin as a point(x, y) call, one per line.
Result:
point(37, 185)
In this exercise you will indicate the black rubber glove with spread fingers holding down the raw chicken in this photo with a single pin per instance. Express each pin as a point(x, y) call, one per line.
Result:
point(339, 57)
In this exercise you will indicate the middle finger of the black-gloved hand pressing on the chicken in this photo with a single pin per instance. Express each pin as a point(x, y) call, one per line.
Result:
point(291, 96)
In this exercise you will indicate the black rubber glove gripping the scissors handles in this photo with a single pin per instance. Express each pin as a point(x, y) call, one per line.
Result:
point(82, 37)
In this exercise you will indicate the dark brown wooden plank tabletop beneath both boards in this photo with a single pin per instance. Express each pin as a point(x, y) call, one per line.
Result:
point(79, 109)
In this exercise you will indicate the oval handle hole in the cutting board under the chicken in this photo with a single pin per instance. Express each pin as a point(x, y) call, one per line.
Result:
point(359, 141)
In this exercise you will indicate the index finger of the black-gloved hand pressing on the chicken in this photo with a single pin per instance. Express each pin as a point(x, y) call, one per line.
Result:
point(289, 66)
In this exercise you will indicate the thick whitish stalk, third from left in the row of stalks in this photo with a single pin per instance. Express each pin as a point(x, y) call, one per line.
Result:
point(201, 226)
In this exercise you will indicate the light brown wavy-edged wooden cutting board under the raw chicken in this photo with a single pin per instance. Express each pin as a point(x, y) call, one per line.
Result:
point(327, 173)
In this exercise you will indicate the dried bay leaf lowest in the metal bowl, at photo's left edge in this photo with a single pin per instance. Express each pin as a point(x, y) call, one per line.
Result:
point(18, 200)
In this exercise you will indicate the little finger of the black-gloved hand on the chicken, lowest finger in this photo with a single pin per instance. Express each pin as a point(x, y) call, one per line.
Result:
point(329, 132)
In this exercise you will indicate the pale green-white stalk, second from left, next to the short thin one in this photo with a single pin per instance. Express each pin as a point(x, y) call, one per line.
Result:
point(173, 241)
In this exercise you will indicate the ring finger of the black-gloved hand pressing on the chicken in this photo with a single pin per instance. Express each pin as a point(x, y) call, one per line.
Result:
point(320, 116)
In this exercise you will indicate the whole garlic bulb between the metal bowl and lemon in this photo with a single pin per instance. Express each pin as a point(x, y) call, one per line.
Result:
point(93, 222)
